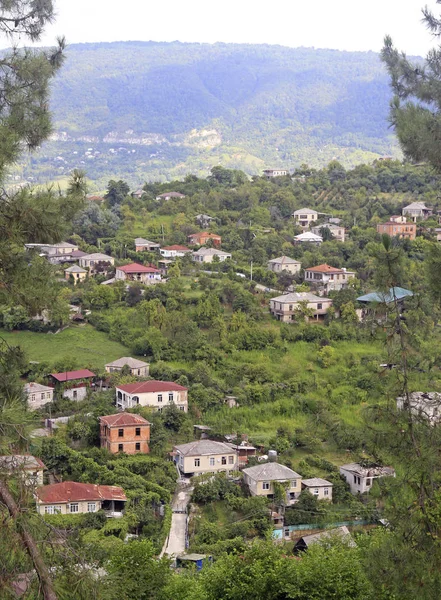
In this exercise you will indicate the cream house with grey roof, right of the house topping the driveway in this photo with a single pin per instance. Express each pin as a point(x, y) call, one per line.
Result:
point(261, 479)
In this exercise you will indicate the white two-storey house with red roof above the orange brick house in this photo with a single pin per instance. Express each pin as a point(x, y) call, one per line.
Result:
point(156, 394)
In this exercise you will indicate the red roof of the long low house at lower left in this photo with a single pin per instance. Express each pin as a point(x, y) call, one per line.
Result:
point(71, 491)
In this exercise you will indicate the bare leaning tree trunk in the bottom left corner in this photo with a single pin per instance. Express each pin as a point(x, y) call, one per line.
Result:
point(29, 543)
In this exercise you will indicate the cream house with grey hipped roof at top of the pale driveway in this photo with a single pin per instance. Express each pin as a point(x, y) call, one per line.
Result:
point(205, 456)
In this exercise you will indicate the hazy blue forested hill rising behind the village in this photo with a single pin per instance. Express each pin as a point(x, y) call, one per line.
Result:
point(184, 107)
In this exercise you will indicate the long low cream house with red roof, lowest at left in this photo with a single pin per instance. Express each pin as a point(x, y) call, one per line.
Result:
point(70, 497)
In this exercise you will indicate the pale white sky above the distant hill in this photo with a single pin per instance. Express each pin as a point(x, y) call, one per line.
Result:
point(341, 24)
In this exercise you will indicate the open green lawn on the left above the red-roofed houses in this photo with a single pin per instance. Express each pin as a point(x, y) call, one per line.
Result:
point(90, 348)
